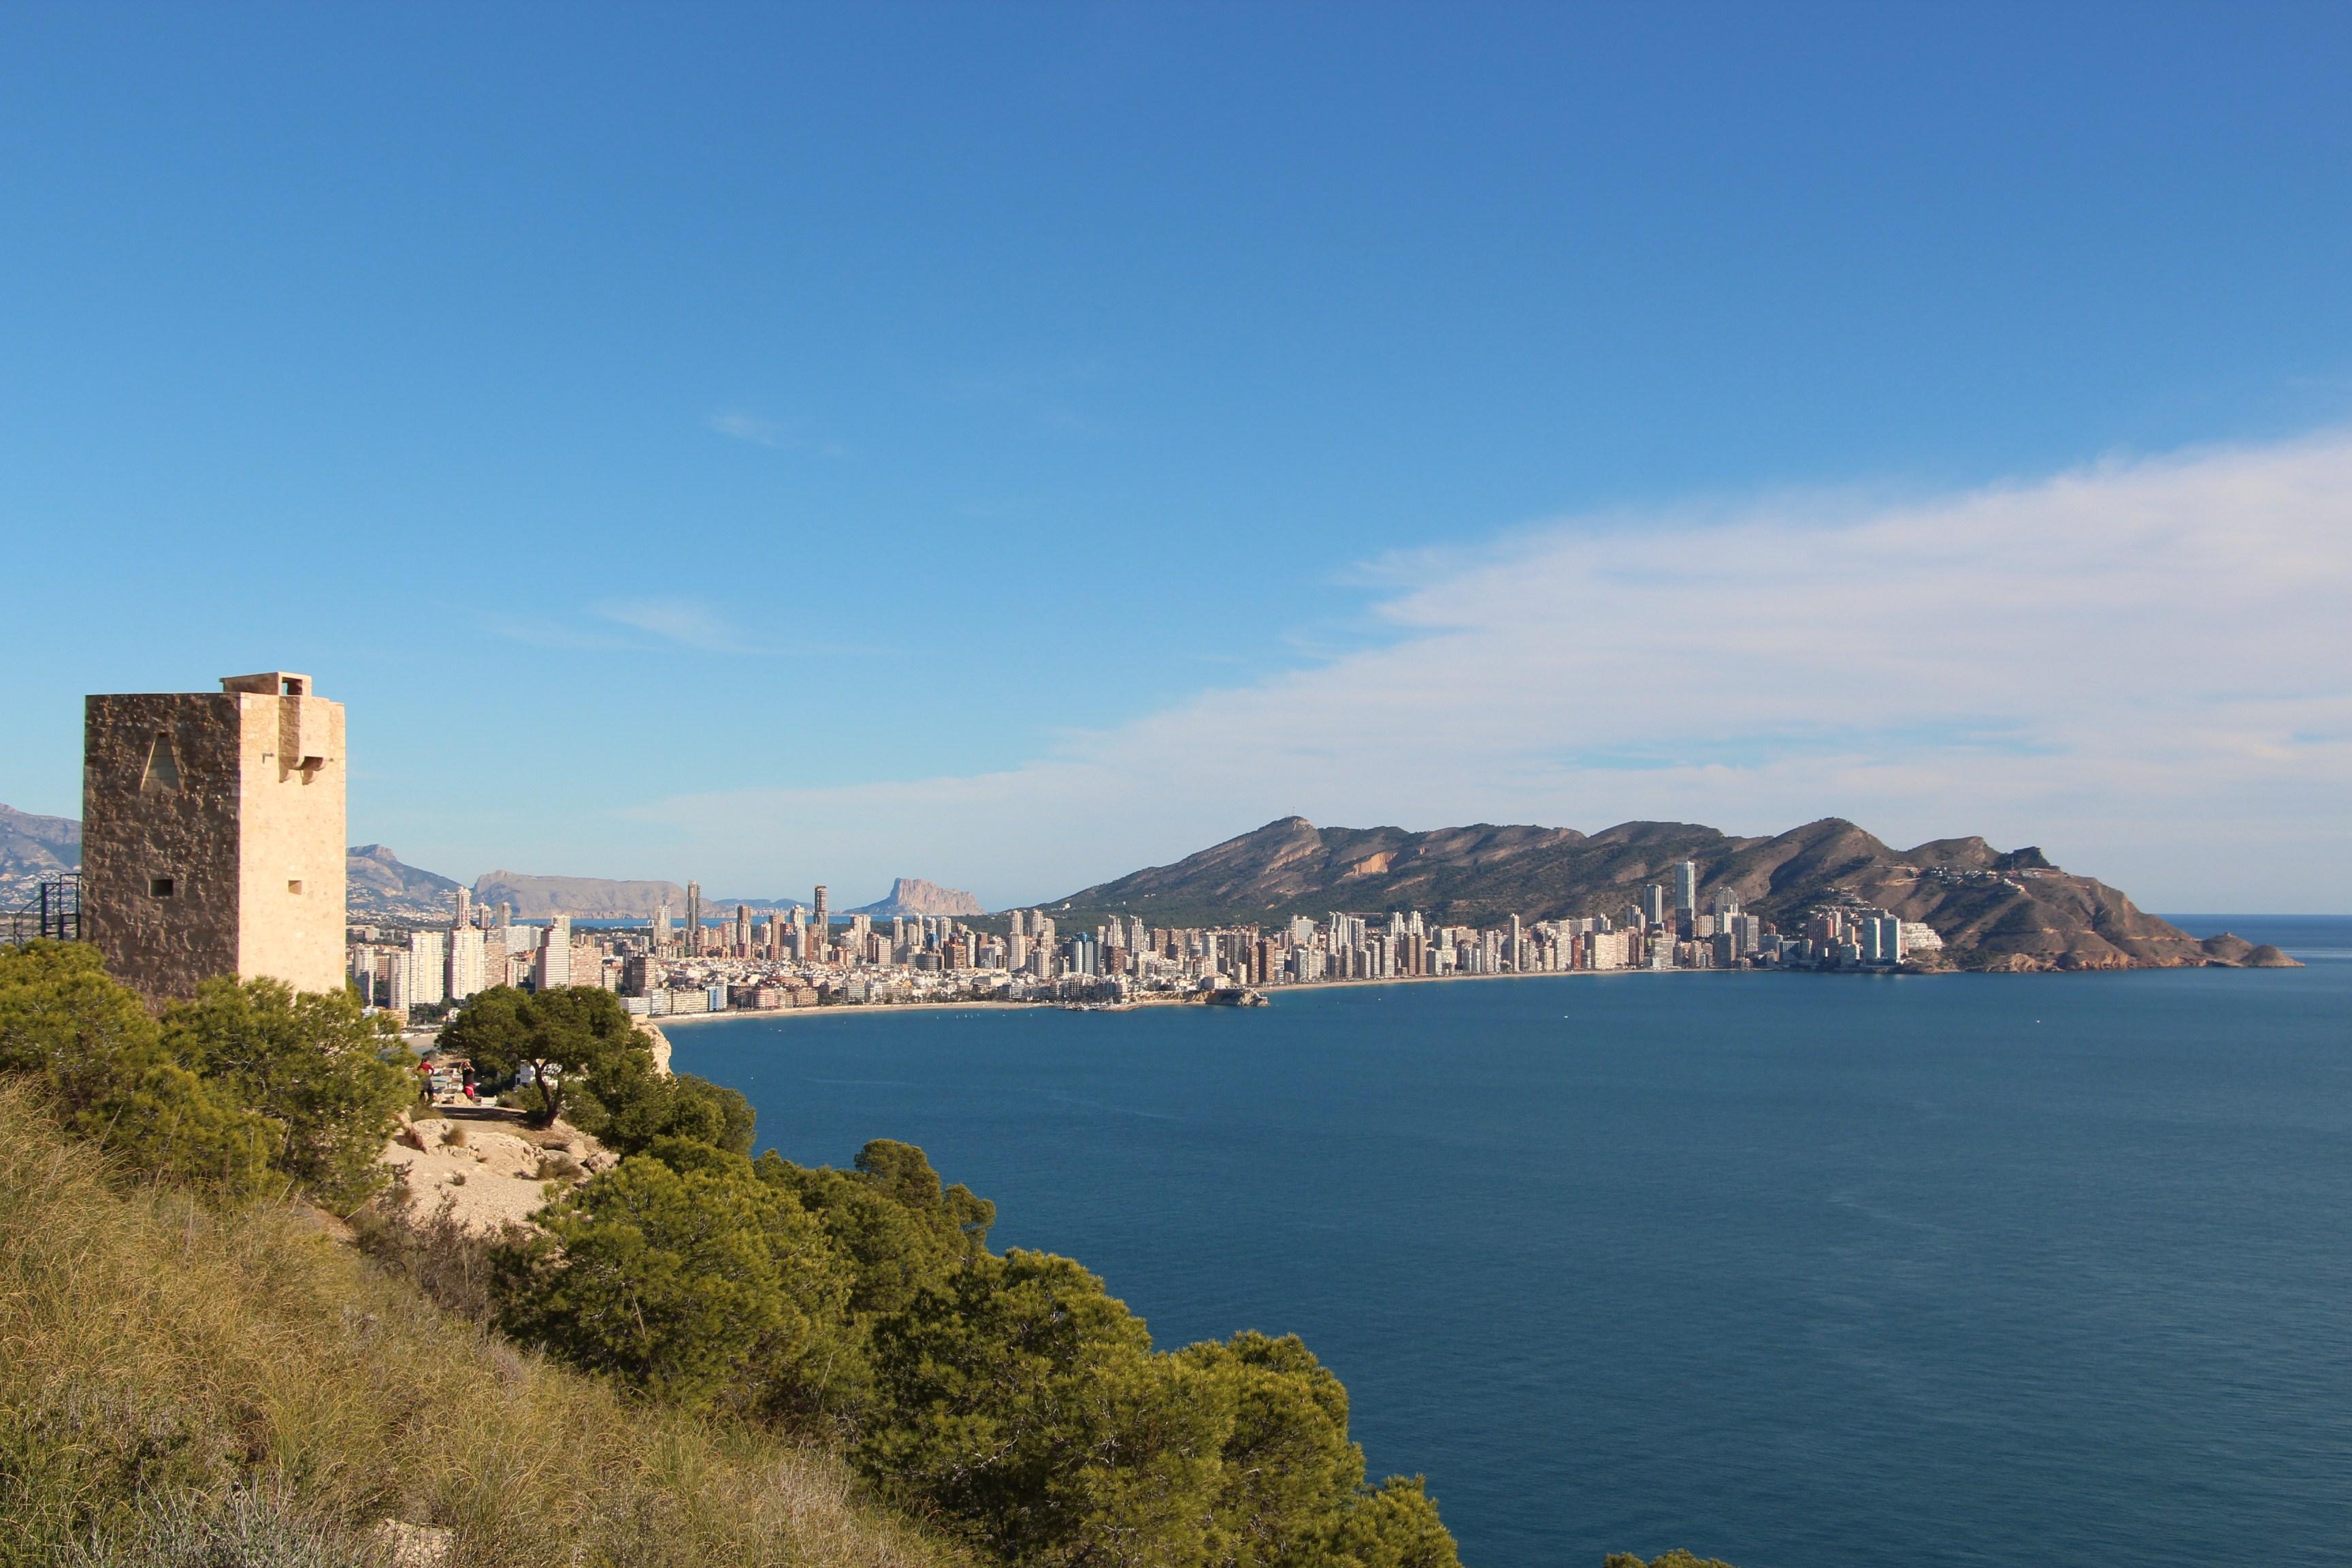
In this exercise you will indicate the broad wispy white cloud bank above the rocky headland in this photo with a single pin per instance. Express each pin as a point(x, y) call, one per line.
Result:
point(2144, 666)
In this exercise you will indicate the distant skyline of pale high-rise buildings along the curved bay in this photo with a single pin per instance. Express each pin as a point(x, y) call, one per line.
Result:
point(808, 956)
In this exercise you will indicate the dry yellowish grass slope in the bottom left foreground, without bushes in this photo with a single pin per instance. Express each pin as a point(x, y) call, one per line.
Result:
point(166, 1367)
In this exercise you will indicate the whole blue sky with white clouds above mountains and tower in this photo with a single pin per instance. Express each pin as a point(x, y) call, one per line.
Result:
point(775, 443)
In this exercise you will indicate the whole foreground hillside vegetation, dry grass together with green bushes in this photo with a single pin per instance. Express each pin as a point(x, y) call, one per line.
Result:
point(693, 1360)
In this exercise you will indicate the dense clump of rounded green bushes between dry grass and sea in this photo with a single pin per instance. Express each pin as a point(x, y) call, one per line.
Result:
point(1008, 1398)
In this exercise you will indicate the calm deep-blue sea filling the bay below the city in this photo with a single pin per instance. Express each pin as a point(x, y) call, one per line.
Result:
point(1793, 1271)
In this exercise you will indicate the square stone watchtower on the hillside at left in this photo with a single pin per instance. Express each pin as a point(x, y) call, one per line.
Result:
point(213, 836)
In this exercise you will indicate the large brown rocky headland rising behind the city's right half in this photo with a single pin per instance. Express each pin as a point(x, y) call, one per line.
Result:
point(2007, 911)
